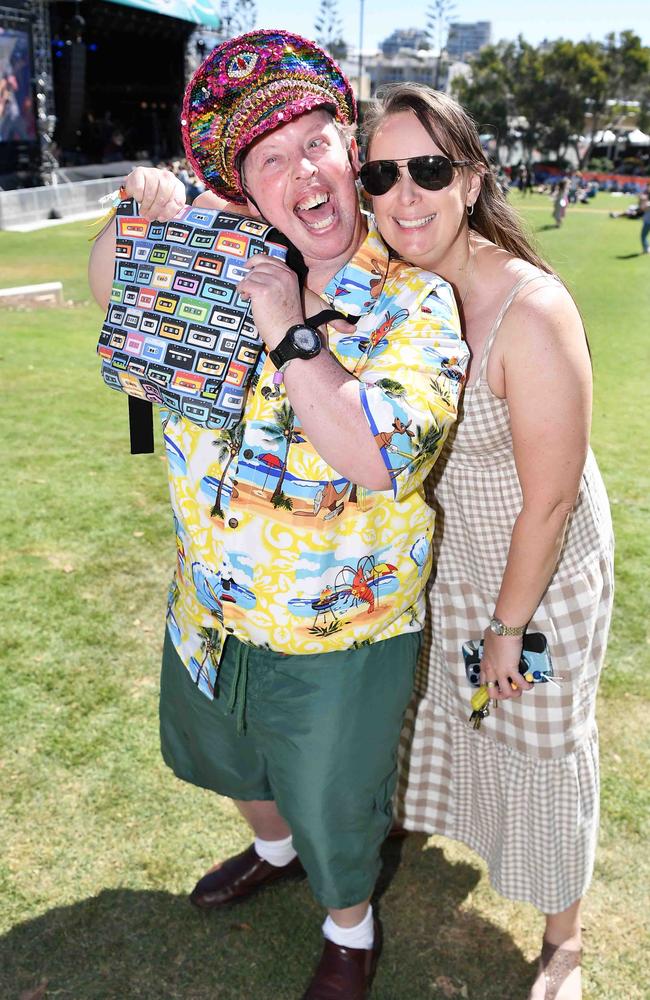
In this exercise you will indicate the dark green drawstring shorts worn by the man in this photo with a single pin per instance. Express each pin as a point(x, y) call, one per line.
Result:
point(318, 734)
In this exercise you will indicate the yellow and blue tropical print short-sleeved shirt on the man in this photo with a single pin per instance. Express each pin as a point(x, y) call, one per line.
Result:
point(275, 546)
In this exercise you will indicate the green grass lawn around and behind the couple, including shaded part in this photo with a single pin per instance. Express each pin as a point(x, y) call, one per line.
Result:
point(101, 843)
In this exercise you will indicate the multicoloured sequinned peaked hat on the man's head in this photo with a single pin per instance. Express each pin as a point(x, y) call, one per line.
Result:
point(250, 85)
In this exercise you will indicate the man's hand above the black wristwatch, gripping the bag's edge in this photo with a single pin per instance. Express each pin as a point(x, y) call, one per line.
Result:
point(273, 290)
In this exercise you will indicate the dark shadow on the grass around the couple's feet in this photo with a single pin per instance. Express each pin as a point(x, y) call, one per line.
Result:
point(125, 944)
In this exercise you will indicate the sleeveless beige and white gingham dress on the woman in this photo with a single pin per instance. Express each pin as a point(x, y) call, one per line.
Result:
point(522, 791)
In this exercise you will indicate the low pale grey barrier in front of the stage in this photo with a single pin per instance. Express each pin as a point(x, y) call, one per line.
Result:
point(28, 205)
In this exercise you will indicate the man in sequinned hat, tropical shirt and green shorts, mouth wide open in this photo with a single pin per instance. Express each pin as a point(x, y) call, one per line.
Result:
point(295, 616)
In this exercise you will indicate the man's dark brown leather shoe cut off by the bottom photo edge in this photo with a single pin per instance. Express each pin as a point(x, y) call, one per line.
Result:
point(345, 973)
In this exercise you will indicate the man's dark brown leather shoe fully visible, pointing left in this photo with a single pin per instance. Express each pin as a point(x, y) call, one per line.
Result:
point(238, 877)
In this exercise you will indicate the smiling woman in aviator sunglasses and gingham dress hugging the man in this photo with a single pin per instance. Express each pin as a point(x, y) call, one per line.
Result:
point(523, 536)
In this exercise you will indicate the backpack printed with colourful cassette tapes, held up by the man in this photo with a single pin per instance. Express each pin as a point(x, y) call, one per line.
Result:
point(176, 332)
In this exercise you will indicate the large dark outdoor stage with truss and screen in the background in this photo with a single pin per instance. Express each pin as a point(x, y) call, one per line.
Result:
point(92, 84)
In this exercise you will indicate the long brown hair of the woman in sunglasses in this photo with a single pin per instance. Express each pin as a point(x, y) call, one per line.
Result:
point(456, 134)
